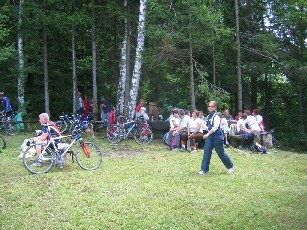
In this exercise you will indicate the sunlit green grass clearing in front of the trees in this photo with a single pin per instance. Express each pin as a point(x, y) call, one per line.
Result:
point(149, 187)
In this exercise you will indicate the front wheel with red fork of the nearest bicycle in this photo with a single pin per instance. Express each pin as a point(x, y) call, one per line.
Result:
point(89, 156)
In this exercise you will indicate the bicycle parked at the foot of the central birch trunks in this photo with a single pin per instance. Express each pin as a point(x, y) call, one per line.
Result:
point(119, 131)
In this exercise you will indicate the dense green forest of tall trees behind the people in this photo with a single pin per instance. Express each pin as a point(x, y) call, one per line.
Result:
point(245, 54)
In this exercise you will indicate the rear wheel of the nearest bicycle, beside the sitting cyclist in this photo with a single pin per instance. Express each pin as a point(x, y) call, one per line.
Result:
point(45, 161)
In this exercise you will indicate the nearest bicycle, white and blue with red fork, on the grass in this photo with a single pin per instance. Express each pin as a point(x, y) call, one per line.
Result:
point(88, 155)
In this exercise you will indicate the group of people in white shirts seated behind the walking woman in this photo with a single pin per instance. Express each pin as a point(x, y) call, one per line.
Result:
point(186, 127)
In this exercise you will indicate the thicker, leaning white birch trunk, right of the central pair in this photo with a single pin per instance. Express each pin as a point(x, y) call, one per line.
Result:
point(138, 60)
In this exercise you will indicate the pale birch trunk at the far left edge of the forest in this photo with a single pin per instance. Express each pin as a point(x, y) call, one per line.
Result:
point(21, 77)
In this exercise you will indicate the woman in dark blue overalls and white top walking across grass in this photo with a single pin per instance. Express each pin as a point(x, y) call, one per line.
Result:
point(214, 139)
